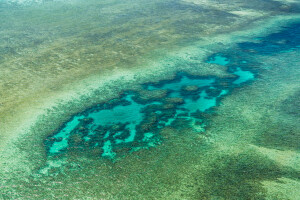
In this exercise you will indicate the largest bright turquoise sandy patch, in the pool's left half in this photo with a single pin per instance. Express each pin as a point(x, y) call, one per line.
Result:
point(129, 115)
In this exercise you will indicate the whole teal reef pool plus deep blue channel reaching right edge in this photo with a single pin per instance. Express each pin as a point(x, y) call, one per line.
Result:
point(134, 121)
